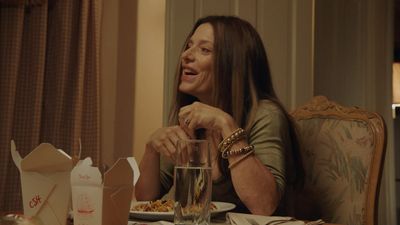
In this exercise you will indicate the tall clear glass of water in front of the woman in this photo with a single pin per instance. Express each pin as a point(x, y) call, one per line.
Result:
point(192, 180)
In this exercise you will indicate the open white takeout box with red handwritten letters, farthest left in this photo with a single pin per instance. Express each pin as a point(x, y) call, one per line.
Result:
point(45, 183)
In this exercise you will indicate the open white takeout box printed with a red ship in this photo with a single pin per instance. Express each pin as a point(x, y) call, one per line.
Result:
point(103, 201)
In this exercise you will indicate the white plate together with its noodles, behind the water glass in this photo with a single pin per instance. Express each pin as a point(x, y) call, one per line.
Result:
point(164, 209)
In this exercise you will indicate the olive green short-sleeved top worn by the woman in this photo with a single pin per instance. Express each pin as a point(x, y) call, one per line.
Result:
point(269, 134)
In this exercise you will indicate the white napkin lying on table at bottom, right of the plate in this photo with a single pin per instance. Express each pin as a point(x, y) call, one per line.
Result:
point(249, 219)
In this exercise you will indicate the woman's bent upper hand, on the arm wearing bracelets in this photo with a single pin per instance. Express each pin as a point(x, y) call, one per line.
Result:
point(200, 115)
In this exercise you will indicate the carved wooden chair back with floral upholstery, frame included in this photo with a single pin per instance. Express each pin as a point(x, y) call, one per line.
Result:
point(342, 150)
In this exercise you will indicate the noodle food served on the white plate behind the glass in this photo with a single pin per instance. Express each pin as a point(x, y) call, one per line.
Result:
point(160, 206)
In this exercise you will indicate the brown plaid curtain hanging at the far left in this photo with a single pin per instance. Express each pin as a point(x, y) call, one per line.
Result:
point(49, 82)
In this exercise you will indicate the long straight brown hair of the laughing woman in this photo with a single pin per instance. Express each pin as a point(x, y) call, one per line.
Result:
point(241, 77)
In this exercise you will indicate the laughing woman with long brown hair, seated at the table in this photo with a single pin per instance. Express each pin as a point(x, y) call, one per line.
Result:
point(224, 89)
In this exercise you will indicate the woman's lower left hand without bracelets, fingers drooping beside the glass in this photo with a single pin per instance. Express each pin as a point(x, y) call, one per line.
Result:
point(164, 140)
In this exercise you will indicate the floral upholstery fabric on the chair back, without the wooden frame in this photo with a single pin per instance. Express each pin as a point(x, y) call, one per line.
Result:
point(337, 155)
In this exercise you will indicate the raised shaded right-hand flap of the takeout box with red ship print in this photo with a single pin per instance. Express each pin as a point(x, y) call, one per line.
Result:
point(120, 174)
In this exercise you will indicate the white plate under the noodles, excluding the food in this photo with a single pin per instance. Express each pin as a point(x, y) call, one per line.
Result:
point(221, 207)
